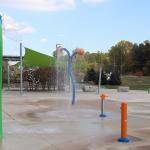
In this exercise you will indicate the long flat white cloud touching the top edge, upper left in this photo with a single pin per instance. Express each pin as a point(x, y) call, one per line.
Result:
point(39, 5)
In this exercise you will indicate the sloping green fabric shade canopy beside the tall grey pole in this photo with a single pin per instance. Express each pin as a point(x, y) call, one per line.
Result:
point(36, 59)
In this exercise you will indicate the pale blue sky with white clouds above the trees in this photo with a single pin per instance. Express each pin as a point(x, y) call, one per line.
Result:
point(90, 24)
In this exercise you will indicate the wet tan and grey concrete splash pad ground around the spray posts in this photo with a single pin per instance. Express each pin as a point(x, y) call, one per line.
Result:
point(45, 121)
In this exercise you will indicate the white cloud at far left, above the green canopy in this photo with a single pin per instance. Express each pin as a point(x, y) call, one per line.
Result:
point(12, 26)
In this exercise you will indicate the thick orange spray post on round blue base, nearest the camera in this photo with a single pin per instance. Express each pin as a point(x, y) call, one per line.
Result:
point(124, 136)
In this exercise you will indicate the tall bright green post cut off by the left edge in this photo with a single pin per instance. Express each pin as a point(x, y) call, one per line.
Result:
point(1, 66)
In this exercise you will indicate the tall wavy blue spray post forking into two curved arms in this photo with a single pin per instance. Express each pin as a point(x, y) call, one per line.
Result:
point(70, 69)
